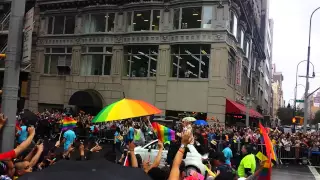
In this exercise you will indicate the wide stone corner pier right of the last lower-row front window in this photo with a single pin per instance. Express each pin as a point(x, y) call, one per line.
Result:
point(218, 81)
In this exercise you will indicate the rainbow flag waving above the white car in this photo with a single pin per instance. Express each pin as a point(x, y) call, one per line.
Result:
point(164, 133)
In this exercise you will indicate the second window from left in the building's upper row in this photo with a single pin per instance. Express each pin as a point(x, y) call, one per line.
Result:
point(99, 22)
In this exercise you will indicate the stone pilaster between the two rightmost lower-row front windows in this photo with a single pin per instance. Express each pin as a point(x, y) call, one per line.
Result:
point(163, 69)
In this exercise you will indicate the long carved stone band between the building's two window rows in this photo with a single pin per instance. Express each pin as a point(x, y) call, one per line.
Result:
point(173, 37)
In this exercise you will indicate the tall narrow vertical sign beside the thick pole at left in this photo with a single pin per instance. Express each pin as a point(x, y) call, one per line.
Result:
point(27, 36)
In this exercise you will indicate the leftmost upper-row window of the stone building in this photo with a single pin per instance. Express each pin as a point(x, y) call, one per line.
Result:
point(61, 25)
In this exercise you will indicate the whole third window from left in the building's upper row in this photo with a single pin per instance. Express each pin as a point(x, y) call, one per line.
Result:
point(148, 20)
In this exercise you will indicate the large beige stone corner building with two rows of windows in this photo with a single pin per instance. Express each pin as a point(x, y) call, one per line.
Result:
point(180, 55)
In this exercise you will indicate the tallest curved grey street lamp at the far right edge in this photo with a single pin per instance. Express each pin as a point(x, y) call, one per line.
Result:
point(307, 76)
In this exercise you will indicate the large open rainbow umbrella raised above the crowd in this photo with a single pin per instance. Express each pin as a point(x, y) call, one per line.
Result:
point(124, 109)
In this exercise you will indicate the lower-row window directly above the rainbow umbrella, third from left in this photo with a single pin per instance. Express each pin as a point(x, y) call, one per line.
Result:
point(141, 61)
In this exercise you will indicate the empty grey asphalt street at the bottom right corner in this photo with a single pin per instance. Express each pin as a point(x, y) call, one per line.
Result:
point(292, 173)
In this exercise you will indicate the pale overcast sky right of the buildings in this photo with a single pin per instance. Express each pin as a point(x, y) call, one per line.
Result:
point(290, 42)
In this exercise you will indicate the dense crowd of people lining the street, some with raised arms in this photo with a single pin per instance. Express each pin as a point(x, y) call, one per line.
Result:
point(34, 152)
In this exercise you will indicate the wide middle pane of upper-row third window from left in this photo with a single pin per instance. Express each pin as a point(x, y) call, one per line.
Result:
point(141, 20)
